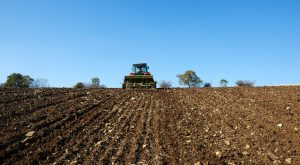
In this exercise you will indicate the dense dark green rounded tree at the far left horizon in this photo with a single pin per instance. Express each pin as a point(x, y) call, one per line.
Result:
point(17, 80)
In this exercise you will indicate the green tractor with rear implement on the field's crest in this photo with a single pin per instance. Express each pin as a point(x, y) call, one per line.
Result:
point(140, 77)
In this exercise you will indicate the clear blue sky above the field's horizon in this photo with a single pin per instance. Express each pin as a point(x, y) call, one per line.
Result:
point(67, 41)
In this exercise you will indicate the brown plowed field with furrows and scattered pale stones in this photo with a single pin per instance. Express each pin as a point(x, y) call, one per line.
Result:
point(165, 126)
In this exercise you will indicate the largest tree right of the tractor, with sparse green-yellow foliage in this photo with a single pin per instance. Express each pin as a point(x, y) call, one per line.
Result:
point(190, 79)
